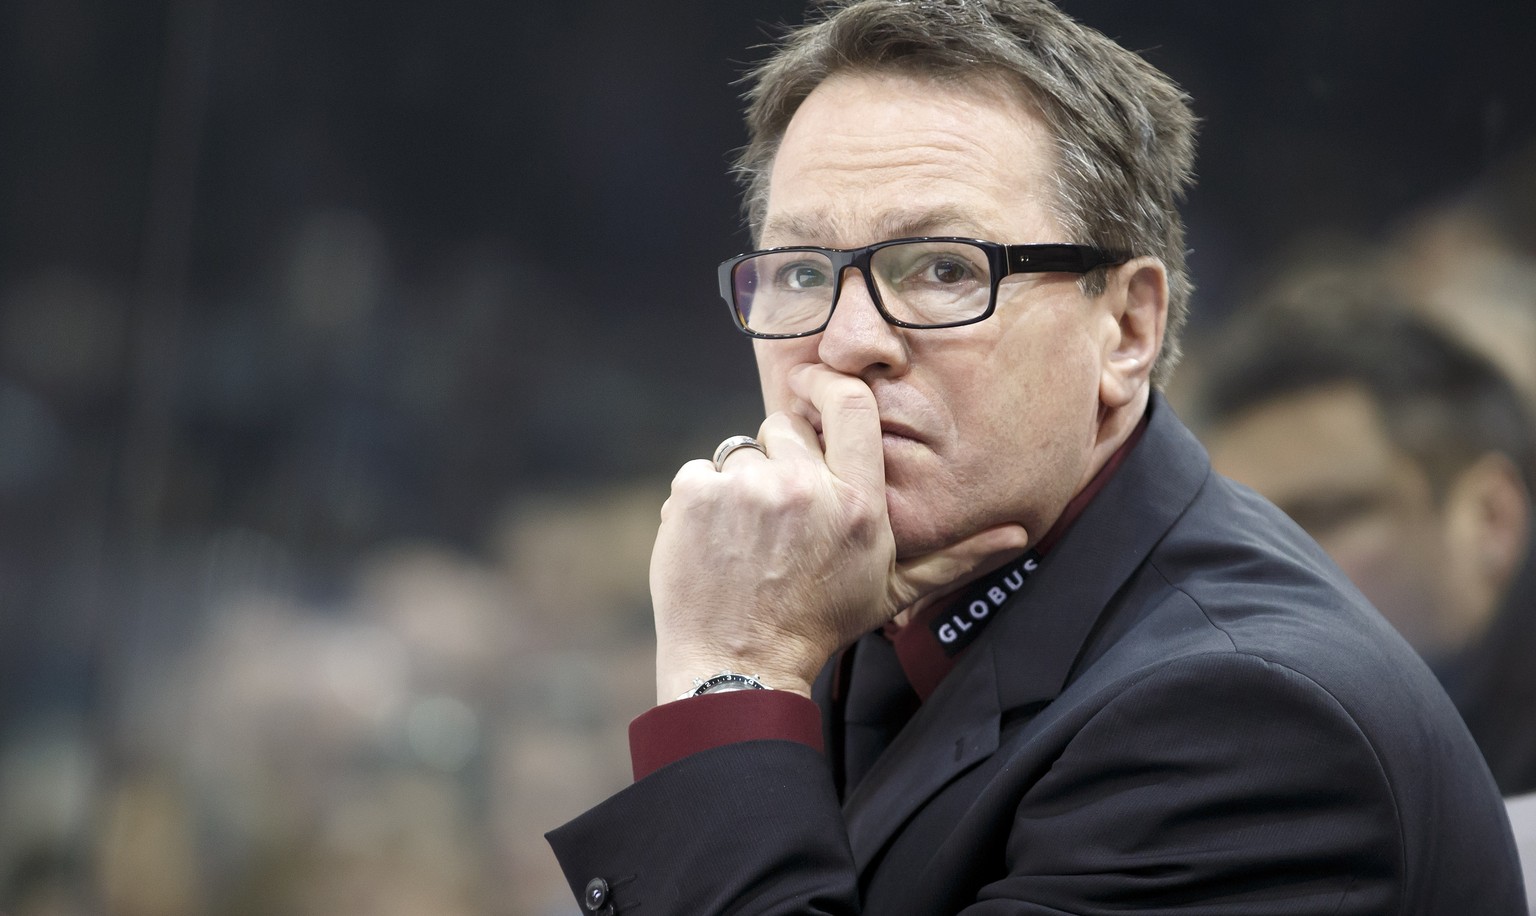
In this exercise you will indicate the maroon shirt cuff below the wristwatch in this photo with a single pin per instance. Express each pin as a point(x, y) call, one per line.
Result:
point(675, 731)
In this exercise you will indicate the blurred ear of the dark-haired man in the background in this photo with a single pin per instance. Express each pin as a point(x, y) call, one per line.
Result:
point(1488, 526)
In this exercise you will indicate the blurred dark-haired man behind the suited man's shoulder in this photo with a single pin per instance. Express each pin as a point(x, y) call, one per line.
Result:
point(1409, 459)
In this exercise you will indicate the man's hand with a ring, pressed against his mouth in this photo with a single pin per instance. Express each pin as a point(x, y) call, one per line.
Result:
point(773, 563)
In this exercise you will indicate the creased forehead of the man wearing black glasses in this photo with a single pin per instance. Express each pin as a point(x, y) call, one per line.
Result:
point(873, 156)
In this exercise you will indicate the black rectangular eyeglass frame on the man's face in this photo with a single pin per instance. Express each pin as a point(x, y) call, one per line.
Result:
point(1004, 261)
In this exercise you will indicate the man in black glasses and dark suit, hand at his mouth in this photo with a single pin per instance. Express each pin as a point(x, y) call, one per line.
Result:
point(1071, 671)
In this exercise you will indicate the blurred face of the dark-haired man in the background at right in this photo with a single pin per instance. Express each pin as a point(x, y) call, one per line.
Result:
point(1325, 457)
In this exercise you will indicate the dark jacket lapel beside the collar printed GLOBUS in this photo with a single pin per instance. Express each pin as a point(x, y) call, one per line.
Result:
point(1028, 655)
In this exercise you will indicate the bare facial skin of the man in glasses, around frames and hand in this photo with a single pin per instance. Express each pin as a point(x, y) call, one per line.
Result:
point(982, 425)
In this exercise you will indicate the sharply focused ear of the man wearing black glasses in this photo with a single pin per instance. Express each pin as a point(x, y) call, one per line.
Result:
point(1136, 320)
